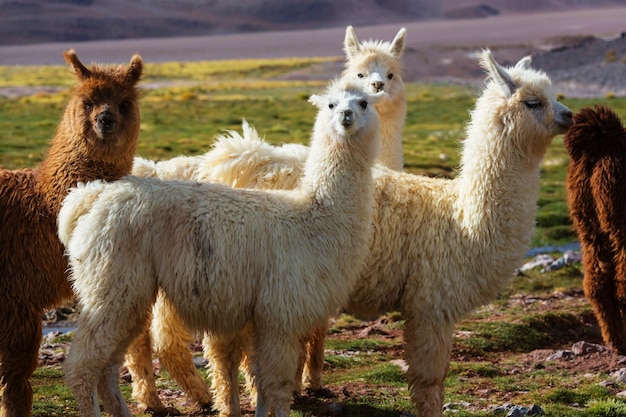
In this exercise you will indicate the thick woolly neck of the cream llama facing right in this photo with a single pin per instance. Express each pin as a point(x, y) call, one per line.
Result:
point(497, 191)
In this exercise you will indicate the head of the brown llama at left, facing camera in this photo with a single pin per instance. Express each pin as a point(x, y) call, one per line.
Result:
point(103, 111)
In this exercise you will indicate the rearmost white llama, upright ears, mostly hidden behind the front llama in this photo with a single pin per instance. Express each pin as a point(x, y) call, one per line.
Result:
point(376, 65)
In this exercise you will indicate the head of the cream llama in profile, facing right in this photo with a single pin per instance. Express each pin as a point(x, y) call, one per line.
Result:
point(519, 103)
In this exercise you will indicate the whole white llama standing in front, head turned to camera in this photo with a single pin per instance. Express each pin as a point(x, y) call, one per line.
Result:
point(288, 258)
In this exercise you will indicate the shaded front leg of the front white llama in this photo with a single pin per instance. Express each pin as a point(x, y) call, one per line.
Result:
point(275, 374)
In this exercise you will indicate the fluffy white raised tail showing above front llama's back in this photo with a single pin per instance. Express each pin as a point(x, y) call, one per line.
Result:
point(250, 162)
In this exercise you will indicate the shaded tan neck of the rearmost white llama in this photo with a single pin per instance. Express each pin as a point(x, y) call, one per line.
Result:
point(392, 114)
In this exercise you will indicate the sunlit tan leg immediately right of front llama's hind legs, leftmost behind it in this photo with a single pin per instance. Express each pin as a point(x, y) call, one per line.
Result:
point(138, 360)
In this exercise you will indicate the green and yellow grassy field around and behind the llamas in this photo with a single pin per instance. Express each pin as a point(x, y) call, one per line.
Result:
point(492, 362)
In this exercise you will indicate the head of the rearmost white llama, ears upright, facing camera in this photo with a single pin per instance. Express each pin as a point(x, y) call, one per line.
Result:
point(375, 64)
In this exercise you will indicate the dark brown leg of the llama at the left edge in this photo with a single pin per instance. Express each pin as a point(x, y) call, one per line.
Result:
point(19, 348)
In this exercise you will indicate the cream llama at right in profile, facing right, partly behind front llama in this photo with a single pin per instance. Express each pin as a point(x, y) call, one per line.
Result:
point(461, 238)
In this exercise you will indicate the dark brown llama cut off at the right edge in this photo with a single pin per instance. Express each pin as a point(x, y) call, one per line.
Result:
point(597, 202)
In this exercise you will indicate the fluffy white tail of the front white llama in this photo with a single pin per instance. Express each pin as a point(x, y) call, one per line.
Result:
point(77, 203)
